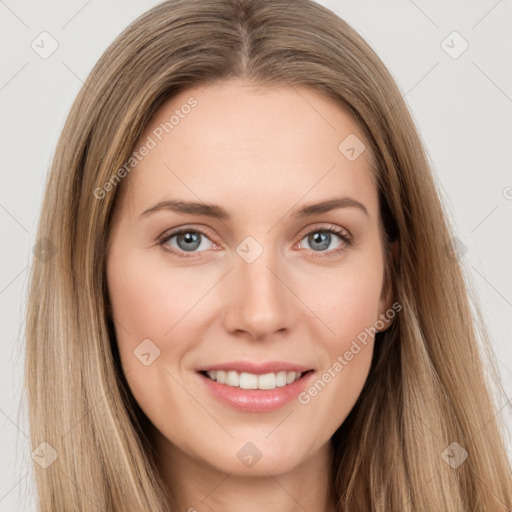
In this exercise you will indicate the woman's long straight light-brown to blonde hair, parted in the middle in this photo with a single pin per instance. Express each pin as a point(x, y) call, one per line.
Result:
point(430, 381)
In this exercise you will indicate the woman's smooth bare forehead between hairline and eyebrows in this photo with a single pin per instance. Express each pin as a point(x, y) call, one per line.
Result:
point(249, 147)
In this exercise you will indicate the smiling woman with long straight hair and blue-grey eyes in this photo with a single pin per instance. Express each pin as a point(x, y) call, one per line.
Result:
point(190, 346)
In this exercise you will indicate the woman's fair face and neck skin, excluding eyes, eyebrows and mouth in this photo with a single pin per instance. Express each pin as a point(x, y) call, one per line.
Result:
point(260, 154)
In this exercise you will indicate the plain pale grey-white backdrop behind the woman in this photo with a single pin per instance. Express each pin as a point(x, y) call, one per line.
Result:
point(452, 62)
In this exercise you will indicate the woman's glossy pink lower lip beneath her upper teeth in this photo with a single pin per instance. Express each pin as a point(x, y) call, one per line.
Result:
point(256, 400)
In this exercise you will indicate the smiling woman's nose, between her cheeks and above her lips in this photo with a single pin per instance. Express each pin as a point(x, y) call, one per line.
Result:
point(259, 300)
